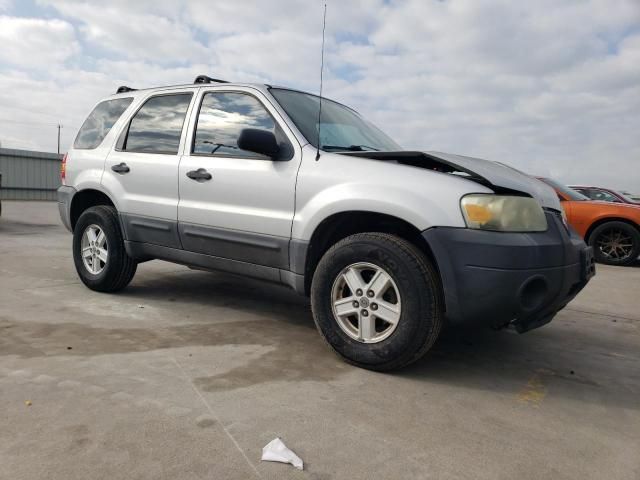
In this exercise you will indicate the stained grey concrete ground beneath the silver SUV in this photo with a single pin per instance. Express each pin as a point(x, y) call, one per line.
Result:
point(188, 374)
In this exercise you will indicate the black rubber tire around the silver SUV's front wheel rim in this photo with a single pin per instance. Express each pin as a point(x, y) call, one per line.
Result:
point(419, 286)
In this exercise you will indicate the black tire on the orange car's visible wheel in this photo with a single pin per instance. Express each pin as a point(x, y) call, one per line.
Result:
point(599, 236)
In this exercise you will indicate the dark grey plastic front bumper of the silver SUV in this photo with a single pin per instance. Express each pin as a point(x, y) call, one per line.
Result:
point(499, 278)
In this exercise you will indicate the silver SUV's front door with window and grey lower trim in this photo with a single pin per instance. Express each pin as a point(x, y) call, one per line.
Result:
point(244, 210)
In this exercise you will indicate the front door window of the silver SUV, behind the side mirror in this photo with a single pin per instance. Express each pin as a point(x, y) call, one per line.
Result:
point(222, 118)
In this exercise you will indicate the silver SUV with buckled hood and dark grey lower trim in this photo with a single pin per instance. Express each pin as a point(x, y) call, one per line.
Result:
point(255, 180)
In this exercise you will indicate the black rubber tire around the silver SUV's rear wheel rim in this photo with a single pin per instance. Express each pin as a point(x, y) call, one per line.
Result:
point(119, 268)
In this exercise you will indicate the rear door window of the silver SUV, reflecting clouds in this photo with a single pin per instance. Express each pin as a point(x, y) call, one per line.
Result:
point(157, 126)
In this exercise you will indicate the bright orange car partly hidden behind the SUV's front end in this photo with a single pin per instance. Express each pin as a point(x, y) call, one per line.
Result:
point(612, 229)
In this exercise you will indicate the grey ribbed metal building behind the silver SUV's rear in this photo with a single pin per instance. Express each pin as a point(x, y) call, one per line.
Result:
point(29, 175)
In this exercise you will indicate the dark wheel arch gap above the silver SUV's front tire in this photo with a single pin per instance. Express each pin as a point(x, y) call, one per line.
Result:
point(343, 224)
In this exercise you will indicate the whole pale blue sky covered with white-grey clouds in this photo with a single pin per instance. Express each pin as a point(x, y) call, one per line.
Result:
point(549, 86)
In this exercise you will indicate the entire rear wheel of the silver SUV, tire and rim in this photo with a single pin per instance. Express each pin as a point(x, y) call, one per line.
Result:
point(99, 255)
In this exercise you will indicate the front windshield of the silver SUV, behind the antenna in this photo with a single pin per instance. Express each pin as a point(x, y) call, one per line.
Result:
point(341, 129)
